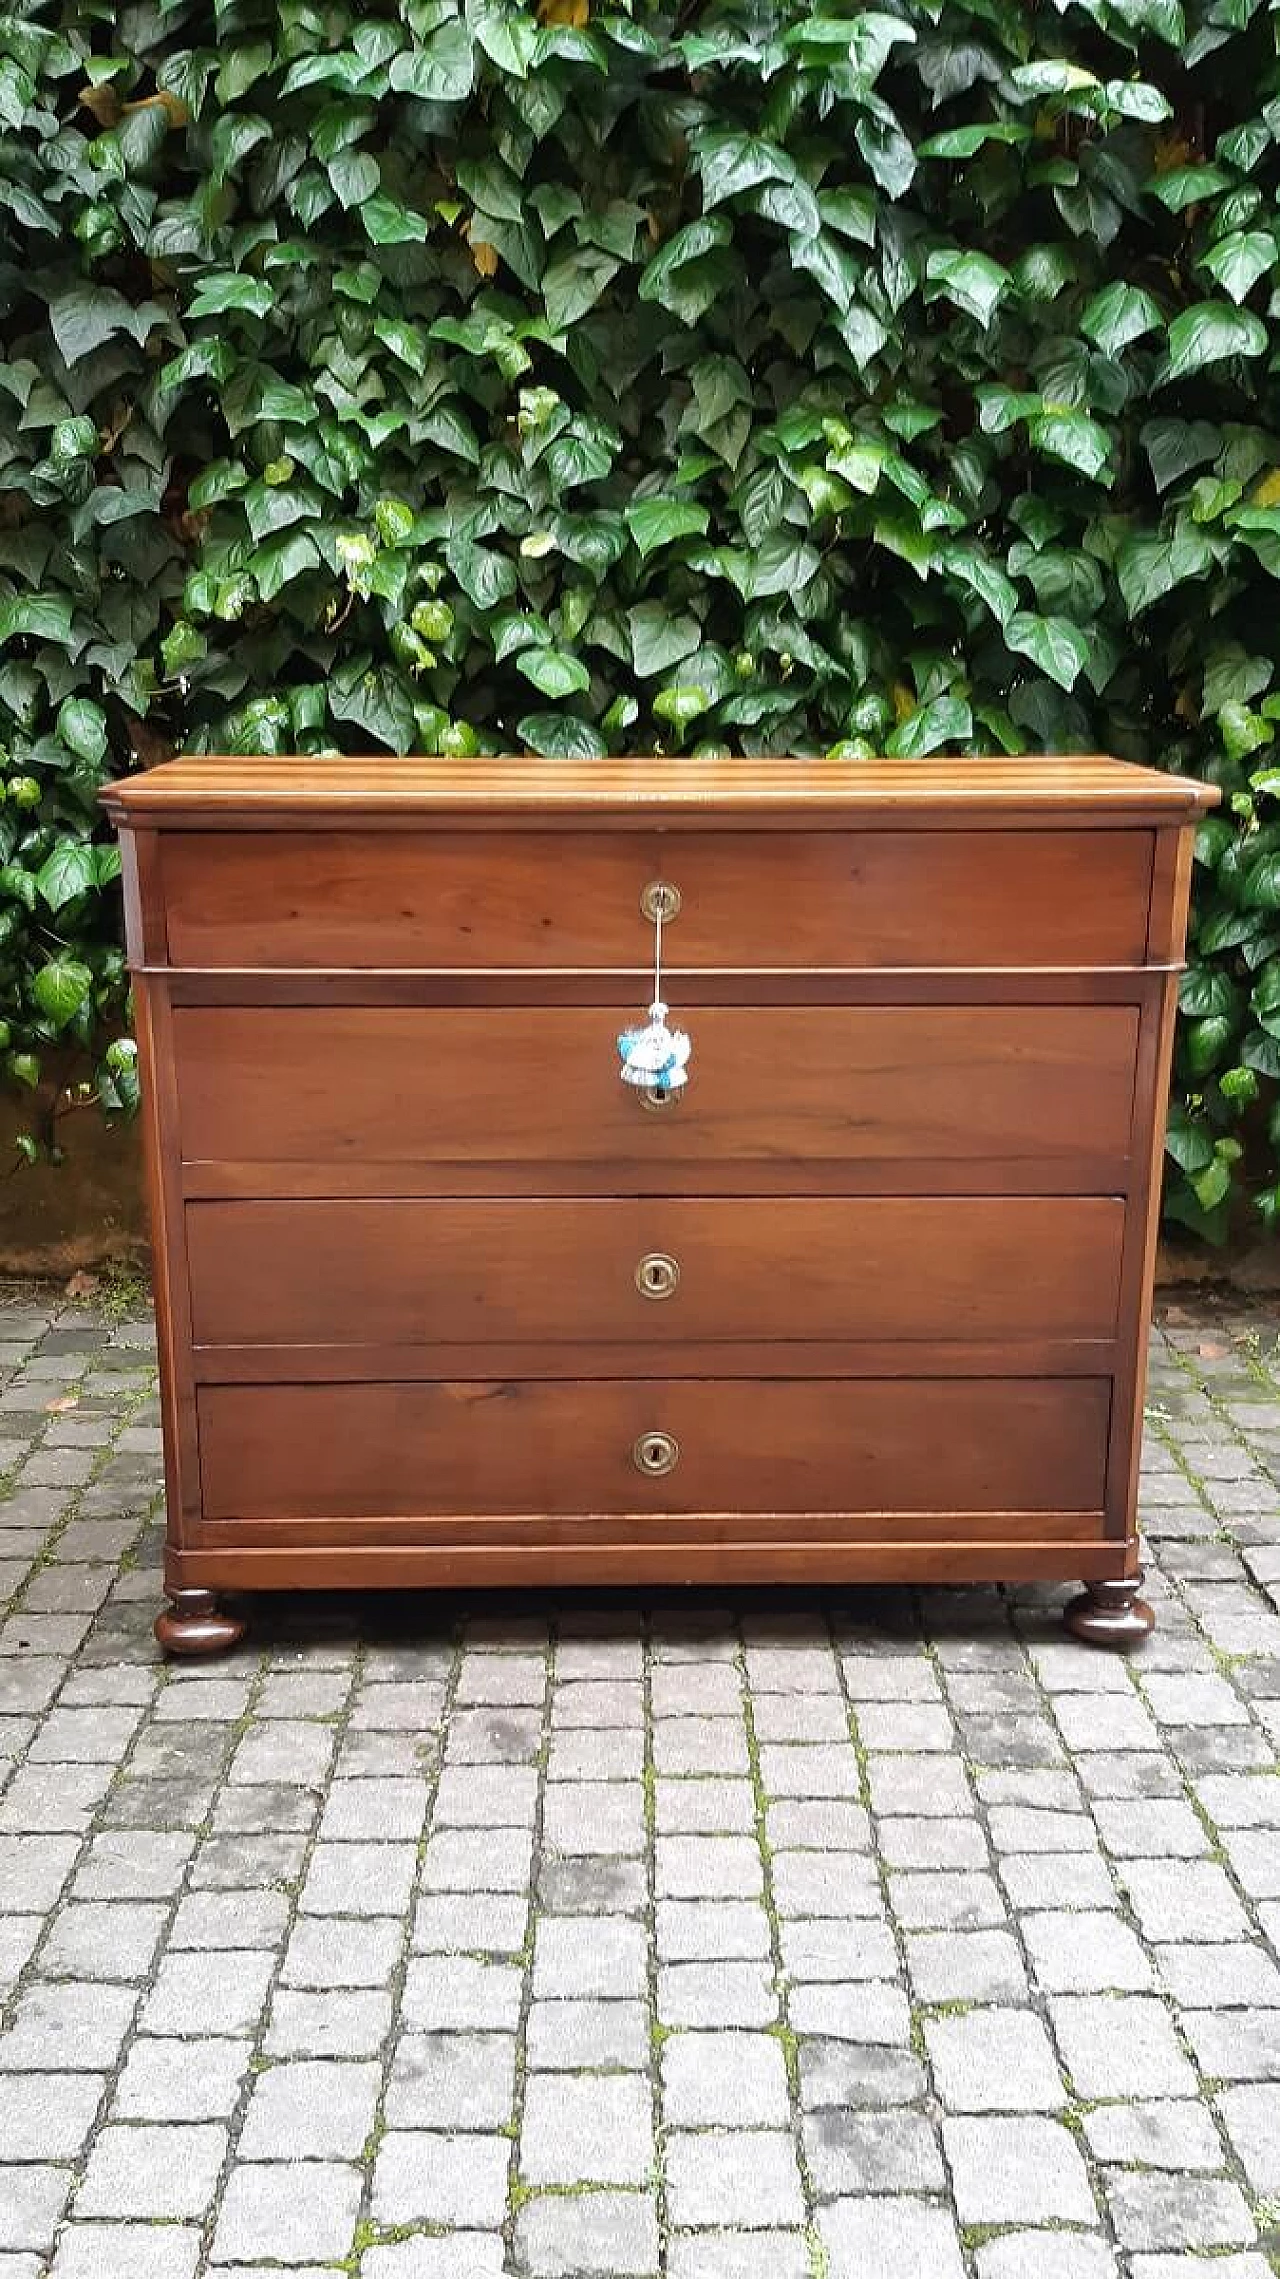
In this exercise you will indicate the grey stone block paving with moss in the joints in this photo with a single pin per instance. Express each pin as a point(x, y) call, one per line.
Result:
point(885, 1936)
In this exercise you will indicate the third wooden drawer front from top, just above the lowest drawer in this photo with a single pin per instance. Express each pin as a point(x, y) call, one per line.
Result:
point(655, 1271)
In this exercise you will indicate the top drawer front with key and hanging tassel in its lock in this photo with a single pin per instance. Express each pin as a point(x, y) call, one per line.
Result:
point(548, 899)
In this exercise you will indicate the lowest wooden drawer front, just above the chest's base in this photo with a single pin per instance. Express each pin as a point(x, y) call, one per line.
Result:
point(402, 1451)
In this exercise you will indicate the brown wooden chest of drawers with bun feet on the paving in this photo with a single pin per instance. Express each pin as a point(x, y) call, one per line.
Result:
point(445, 1302)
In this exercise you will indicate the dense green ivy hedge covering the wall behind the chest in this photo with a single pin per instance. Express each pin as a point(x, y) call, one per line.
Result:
point(625, 375)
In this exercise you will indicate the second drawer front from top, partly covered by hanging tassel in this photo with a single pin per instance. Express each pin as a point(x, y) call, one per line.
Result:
point(771, 1088)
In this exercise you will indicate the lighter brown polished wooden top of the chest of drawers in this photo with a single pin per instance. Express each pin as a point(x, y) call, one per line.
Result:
point(240, 792)
